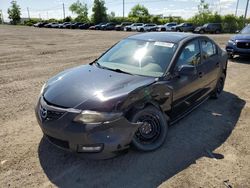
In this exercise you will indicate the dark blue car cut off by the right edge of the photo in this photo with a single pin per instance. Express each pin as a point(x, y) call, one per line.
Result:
point(239, 44)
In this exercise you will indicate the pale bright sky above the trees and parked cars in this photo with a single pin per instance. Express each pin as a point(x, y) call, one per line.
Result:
point(185, 8)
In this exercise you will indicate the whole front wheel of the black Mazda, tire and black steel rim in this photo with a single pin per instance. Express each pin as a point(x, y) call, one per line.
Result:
point(152, 133)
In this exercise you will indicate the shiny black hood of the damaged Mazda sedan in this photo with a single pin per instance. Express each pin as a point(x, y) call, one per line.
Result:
point(73, 87)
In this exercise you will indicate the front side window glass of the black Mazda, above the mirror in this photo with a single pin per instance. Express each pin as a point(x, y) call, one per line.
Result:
point(190, 54)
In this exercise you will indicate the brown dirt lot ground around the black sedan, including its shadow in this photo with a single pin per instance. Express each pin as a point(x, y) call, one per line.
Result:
point(205, 149)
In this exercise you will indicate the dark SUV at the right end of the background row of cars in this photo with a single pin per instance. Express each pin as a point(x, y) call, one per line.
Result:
point(209, 28)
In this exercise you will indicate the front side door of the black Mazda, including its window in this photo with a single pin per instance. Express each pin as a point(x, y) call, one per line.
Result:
point(186, 88)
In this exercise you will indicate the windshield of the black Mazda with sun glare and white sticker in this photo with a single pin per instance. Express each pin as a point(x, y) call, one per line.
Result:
point(139, 57)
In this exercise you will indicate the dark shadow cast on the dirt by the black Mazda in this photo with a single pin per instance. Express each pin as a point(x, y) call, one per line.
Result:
point(193, 137)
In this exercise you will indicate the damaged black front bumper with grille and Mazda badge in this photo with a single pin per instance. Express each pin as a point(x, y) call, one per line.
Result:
point(100, 140)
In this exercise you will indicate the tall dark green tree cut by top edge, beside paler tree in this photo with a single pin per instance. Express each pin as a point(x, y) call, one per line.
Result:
point(99, 12)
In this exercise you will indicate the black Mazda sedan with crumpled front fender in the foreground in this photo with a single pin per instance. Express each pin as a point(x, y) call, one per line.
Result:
point(131, 94)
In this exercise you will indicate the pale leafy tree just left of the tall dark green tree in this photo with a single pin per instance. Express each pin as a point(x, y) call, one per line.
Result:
point(81, 10)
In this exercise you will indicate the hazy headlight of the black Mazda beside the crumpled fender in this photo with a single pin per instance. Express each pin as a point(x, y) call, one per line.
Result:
point(87, 116)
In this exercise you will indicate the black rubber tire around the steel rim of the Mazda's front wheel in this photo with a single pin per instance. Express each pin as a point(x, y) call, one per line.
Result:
point(163, 126)
